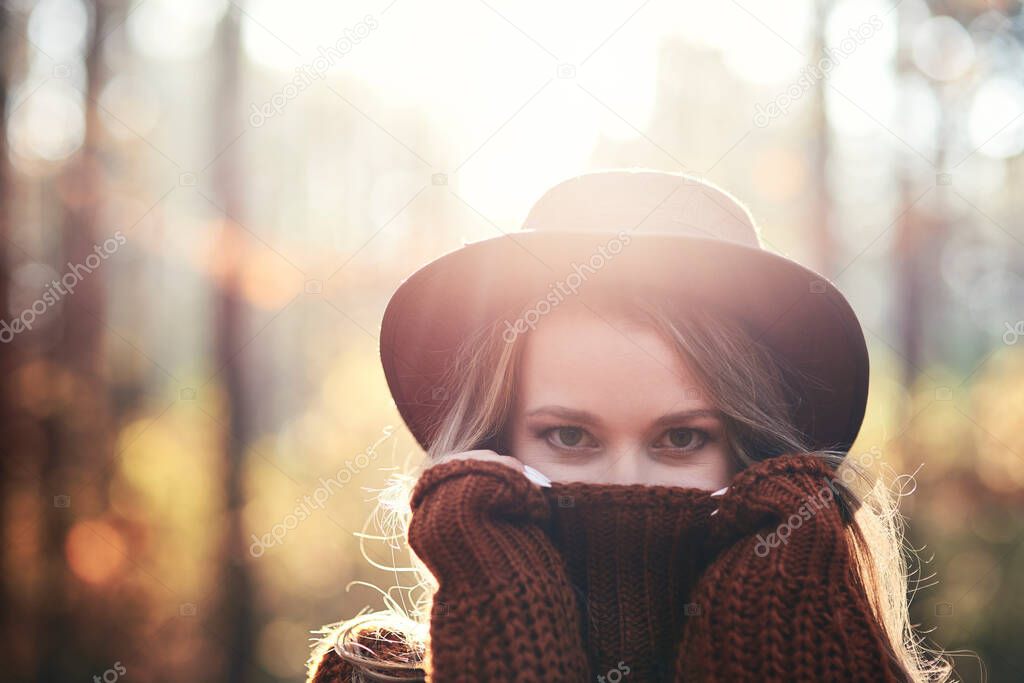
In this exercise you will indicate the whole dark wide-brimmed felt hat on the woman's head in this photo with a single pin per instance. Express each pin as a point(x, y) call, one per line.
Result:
point(670, 234)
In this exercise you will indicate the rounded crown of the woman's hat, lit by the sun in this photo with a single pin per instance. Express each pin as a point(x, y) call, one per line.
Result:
point(646, 202)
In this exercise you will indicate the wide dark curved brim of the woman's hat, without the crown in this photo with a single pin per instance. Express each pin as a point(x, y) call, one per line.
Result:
point(795, 312)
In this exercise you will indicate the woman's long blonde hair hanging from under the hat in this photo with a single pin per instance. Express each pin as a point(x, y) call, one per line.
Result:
point(750, 386)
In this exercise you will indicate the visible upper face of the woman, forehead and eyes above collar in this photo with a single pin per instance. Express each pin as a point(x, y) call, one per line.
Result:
point(608, 402)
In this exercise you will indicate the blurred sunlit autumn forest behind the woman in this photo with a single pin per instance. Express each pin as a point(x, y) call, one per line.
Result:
point(206, 205)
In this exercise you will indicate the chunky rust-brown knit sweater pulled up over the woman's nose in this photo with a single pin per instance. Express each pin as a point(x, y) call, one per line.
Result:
point(613, 583)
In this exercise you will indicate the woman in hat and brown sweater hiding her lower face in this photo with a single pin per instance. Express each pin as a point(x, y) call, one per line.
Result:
point(637, 424)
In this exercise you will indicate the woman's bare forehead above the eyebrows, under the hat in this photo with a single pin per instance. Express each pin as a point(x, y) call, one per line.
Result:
point(607, 365)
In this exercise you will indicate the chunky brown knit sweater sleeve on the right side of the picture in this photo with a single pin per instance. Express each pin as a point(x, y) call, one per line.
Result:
point(783, 601)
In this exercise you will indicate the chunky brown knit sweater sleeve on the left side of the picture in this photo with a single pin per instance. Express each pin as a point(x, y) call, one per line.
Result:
point(504, 610)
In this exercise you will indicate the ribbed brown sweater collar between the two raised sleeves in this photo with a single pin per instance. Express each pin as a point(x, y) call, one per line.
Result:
point(633, 554)
